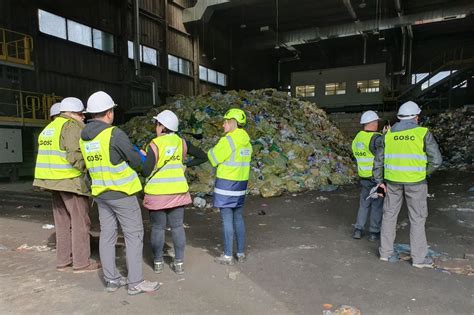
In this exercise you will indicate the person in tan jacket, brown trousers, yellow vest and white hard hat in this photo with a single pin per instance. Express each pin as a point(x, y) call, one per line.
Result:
point(60, 168)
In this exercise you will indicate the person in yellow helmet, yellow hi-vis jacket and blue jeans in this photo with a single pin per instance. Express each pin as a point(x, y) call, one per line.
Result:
point(232, 156)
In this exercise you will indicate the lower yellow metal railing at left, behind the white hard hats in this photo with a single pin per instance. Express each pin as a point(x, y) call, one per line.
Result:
point(22, 107)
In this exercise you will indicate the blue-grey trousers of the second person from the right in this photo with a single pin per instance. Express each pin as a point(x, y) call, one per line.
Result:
point(372, 205)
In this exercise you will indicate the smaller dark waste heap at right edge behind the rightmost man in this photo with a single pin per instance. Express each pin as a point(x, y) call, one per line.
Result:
point(454, 133)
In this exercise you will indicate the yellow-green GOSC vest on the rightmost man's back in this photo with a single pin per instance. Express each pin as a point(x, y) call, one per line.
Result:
point(404, 157)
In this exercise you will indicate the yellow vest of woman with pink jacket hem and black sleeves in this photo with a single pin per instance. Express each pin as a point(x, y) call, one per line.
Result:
point(168, 175)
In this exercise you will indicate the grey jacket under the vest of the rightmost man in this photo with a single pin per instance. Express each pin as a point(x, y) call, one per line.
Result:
point(430, 146)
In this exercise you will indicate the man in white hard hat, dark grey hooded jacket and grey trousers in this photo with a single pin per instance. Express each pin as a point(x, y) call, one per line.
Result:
point(111, 161)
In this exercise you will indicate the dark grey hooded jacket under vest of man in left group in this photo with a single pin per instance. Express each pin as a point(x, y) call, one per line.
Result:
point(121, 149)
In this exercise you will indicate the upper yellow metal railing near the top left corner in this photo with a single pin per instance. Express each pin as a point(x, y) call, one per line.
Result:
point(16, 47)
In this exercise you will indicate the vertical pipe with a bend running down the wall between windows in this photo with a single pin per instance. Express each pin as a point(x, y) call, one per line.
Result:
point(136, 54)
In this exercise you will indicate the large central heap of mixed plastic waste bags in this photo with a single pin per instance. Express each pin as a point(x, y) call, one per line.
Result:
point(295, 146)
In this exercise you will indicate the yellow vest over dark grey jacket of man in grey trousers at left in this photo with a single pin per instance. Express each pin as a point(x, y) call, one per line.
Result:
point(106, 176)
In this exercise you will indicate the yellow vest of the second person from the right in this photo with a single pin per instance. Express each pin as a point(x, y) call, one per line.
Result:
point(362, 153)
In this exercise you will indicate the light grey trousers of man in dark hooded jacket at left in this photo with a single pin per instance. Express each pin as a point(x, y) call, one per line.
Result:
point(127, 212)
